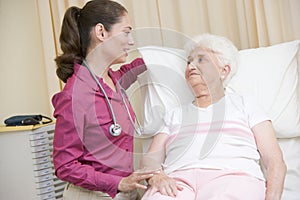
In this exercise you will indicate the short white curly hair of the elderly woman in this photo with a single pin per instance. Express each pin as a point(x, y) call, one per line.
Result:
point(225, 50)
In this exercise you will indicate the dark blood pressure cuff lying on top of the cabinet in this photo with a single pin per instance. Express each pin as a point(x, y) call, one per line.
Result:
point(23, 120)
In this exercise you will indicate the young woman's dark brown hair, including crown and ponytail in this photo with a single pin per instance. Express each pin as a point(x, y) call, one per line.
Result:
point(75, 35)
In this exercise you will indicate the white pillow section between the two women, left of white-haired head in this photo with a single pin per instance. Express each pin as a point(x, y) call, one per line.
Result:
point(163, 85)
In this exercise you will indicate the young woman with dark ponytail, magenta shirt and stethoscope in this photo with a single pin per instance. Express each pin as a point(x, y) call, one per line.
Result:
point(93, 141)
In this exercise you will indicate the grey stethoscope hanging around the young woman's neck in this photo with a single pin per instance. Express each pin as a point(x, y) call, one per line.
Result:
point(115, 129)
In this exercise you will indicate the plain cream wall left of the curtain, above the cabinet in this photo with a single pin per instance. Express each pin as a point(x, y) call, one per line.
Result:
point(23, 82)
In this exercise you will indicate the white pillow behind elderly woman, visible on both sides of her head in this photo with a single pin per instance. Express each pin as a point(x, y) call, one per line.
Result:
point(270, 74)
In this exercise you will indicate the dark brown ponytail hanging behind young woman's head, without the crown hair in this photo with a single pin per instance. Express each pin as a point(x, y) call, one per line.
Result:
point(70, 44)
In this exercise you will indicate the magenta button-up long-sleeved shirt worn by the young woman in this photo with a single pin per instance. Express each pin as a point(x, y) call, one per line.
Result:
point(84, 152)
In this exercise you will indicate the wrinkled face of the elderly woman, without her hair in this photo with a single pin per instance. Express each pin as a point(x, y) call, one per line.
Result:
point(203, 69)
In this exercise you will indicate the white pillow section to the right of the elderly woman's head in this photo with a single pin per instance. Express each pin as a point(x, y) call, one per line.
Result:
point(271, 75)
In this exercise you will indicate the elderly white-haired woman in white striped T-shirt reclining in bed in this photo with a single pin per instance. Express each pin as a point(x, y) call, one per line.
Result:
point(212, 147)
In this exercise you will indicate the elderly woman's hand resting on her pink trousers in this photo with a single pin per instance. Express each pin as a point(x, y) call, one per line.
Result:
point(164, 184)
